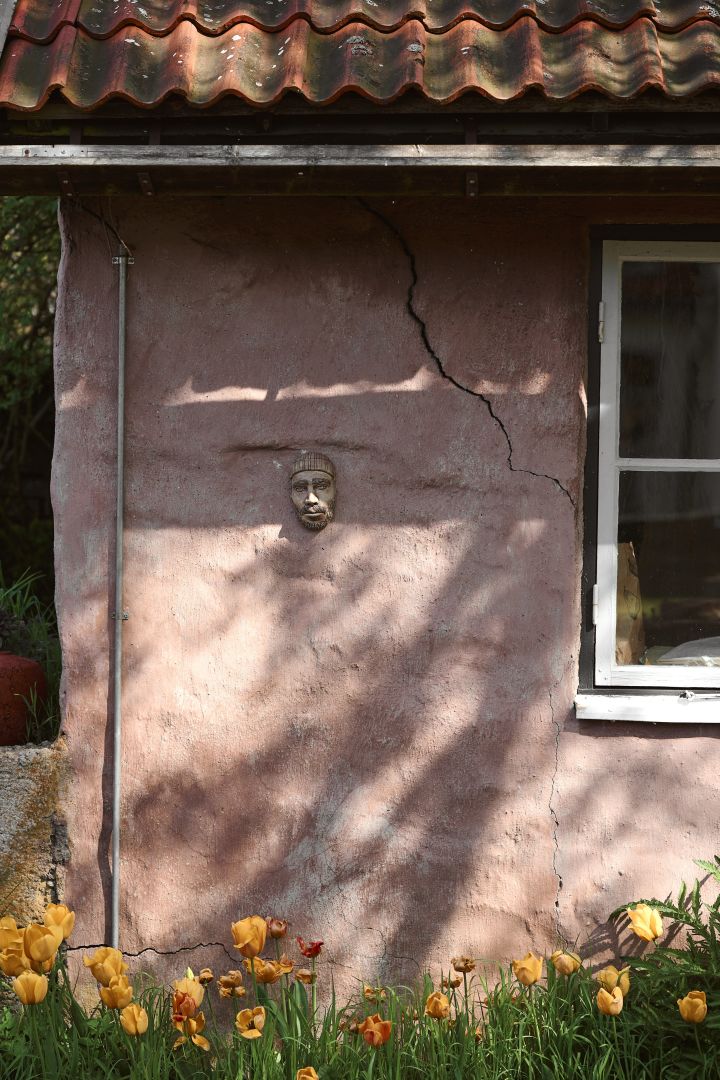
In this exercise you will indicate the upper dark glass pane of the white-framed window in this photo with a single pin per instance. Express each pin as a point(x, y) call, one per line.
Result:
point(671, 360)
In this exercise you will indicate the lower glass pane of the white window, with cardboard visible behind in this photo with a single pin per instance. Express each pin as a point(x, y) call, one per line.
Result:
point(669, 570)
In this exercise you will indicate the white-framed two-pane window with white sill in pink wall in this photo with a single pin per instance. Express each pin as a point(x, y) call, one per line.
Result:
point(657, 599)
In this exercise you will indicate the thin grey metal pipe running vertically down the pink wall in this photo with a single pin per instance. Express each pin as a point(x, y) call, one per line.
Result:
point(120, 615)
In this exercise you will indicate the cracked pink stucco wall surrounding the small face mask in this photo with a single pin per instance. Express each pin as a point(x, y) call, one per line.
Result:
point(369, 731)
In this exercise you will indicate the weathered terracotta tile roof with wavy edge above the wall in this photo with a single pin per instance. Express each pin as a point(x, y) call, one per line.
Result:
point(93, 50)
